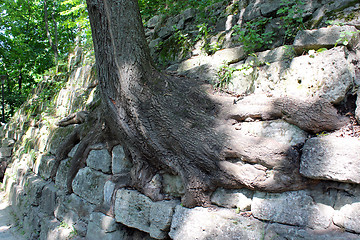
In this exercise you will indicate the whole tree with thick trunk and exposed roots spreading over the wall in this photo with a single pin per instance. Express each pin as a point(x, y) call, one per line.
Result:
point(169, 123)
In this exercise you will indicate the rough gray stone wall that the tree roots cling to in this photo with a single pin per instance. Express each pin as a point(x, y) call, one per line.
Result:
point(326, 208)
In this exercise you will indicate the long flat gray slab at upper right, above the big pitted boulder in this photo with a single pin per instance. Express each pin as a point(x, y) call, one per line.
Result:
point(325, 38)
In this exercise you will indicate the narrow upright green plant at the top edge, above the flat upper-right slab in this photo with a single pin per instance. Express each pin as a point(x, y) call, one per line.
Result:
point(291, 13)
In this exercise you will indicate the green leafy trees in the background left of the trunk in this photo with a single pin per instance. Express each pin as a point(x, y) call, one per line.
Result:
point(25, 51)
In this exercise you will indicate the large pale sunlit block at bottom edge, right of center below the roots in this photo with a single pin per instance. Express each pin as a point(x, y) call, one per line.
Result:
point(220, 224)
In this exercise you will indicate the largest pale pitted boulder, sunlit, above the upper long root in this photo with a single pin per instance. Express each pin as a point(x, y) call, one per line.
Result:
point(333, 73)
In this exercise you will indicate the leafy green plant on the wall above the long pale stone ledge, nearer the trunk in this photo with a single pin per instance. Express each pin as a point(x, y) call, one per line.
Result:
point(253, 35)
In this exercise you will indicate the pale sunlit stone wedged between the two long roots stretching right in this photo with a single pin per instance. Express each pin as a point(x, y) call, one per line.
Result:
point(278, 130)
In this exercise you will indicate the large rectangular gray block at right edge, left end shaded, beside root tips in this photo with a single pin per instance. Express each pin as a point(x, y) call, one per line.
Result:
point(331, 158)
